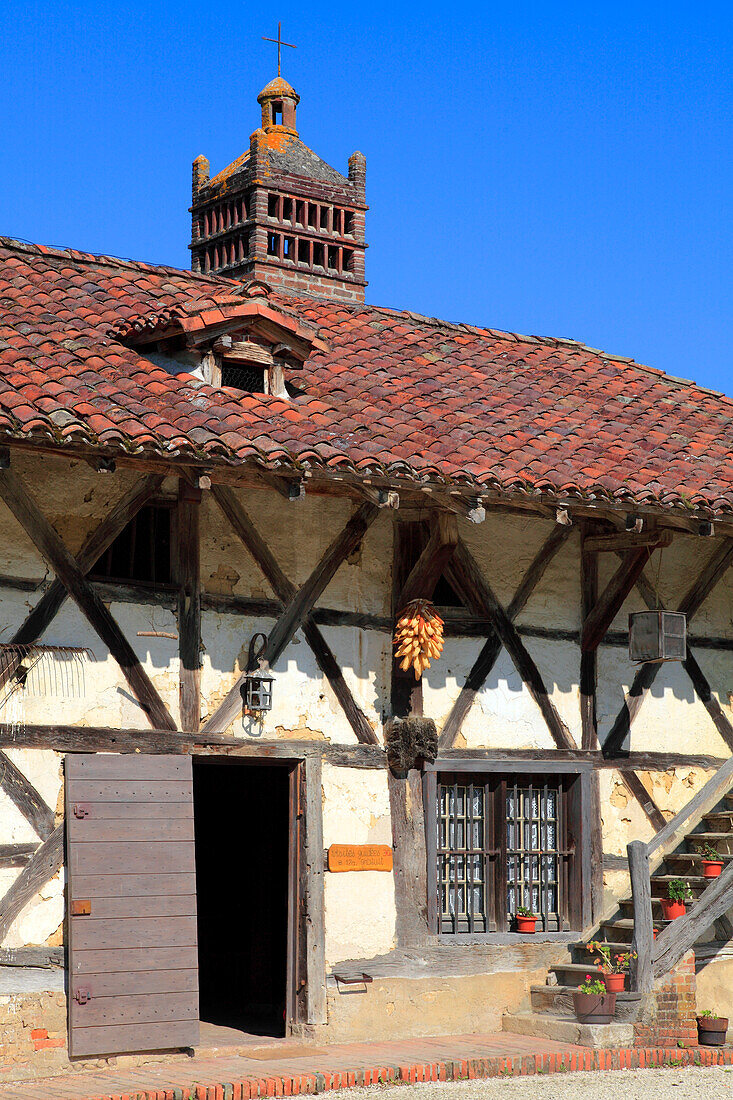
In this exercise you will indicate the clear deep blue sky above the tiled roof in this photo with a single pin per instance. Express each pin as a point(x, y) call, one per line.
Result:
point(562, 170)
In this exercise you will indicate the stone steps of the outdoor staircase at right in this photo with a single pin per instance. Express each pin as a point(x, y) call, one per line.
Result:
point(552, 1013)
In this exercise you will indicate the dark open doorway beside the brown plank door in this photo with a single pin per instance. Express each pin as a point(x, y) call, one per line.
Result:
point(242, 819)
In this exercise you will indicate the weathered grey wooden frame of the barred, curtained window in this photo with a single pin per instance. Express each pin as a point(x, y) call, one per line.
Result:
point(584, 829)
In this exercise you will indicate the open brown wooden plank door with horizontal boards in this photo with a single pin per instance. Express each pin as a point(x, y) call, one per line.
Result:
point(133, 952)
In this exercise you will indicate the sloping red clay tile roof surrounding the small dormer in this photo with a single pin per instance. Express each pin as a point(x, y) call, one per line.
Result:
point(384, 392)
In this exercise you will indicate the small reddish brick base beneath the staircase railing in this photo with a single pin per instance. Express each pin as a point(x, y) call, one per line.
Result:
point(669, 1019)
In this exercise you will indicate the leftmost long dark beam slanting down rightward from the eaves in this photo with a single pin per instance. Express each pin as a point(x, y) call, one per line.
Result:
point(47, 541)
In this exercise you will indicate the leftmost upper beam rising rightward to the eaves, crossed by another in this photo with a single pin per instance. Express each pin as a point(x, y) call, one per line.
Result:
point(95, 546)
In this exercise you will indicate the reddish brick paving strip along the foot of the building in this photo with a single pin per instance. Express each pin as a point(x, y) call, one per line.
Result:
point(277, 1073)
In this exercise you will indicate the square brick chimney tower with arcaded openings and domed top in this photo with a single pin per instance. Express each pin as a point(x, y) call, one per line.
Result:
point(280, 214)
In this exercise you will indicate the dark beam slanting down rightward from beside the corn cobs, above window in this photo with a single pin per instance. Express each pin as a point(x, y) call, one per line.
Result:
point(466, 577)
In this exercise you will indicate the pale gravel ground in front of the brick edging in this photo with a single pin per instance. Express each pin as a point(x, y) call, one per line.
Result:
point(688, 1084)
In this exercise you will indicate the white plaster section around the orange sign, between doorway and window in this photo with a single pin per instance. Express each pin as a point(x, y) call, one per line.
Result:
point(360, 914)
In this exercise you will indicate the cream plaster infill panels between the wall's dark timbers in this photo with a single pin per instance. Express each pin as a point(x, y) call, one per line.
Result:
point(360, 909)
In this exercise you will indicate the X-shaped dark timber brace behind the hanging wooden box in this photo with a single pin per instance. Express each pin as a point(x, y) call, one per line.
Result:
point(715, 569)
